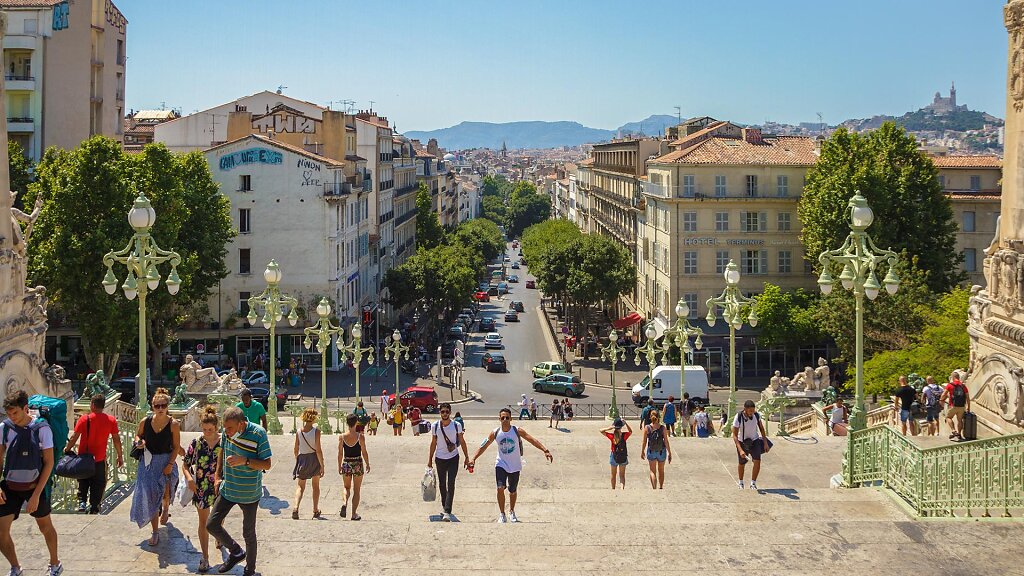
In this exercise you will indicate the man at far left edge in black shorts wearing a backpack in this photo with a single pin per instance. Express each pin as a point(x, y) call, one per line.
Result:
point(27, 454)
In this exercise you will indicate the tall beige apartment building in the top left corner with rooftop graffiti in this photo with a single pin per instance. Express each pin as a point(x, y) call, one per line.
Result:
point(64, 72)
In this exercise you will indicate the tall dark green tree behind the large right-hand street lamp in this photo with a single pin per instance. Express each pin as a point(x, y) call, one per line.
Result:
point(902, 186)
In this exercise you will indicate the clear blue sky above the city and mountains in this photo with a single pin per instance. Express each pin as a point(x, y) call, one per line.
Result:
point(431, 64)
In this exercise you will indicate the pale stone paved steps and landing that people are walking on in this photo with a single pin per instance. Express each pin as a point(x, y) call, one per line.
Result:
point(573, 523)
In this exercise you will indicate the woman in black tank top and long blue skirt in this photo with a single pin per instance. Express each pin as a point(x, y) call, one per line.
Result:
point(158, 476)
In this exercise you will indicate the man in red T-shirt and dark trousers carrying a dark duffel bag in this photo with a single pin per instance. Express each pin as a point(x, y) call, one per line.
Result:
point(95, 429)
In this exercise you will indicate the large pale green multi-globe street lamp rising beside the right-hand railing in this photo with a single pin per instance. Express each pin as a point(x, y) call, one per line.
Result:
point(860, 259)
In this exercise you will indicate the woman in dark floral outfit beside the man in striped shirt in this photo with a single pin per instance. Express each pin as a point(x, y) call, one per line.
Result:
point(200, 469)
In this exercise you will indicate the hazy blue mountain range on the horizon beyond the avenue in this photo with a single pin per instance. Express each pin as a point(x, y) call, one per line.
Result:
point(535, 134)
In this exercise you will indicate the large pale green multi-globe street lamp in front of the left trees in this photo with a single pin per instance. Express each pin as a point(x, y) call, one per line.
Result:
point(142, 257)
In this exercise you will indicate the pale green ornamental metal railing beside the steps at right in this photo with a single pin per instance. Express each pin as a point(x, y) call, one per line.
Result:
point(946, 481)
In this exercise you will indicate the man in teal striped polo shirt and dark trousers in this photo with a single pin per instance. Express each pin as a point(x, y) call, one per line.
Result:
point(245, 458)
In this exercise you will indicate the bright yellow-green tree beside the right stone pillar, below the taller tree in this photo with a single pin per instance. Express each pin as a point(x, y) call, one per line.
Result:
point(943, 347)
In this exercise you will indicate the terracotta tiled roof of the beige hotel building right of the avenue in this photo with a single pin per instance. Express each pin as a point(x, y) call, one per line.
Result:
point(784, 151)
